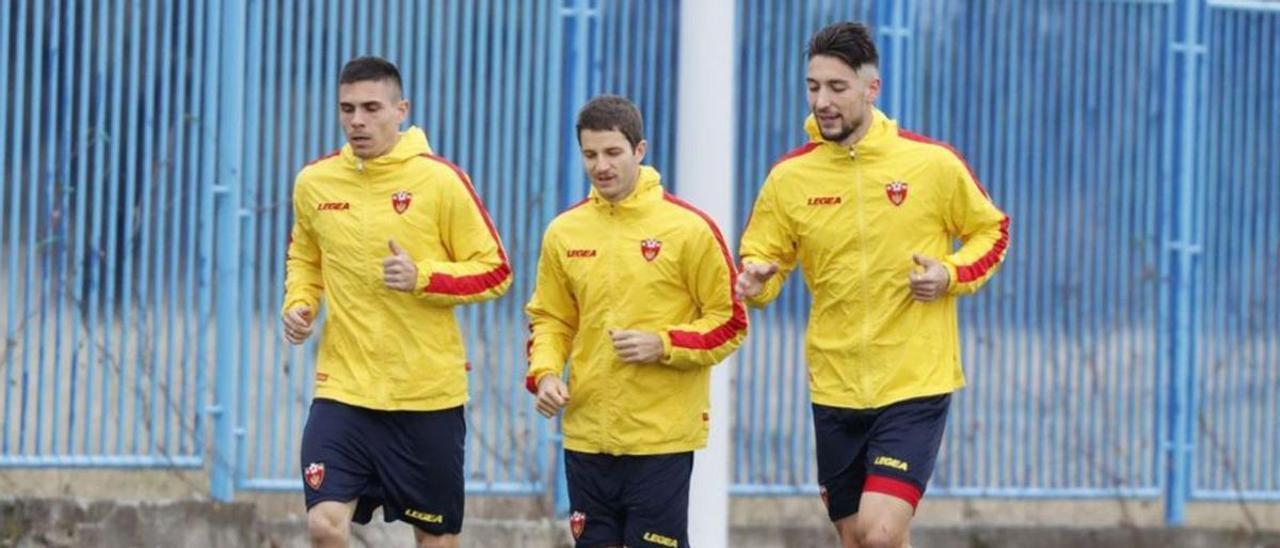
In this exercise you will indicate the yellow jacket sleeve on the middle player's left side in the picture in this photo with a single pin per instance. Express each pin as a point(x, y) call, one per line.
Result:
point(552, 318)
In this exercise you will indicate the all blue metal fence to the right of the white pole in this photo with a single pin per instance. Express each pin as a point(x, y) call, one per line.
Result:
point(1126, 147)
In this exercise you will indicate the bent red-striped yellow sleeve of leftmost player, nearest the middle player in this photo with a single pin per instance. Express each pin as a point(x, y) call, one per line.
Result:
point(478, 270)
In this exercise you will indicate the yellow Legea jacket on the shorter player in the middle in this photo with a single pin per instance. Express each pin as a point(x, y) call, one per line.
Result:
point(650, 263)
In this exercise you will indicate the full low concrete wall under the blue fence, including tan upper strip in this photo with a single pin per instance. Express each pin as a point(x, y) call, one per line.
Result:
point(125, 509)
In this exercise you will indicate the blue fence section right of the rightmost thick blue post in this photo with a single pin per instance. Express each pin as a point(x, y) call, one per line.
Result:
point(1236, 309)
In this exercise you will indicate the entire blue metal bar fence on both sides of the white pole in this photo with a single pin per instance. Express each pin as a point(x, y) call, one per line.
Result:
point(1128, 349)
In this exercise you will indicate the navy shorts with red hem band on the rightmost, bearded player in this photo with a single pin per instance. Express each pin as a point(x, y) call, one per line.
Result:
point(890, 450)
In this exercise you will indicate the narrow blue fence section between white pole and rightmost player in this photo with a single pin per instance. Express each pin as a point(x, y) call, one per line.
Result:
point(772, 421)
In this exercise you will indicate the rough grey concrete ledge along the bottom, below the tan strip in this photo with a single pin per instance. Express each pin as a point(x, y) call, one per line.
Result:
point(77, 523)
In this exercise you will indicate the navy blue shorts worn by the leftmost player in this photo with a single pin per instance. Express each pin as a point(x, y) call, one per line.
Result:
point(410, 463)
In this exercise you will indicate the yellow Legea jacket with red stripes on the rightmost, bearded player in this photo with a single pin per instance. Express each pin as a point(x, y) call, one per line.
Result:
point(852, 220)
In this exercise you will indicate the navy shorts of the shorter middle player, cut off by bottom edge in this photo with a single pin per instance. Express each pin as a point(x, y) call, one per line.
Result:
point(636, 501)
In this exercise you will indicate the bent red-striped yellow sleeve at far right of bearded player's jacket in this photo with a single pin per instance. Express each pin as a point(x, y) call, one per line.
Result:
point(982, 229)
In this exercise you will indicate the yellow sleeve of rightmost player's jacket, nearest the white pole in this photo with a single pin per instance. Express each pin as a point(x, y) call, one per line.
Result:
point(769, 239)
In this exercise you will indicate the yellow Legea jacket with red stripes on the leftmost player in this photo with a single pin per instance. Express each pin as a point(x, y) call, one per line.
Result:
point(383, 349)
